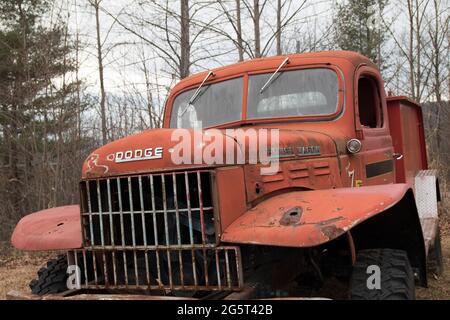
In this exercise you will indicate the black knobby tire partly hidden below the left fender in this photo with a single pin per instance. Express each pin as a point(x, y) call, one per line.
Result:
point(52, 278)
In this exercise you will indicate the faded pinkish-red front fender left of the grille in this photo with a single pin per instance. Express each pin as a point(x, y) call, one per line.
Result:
point(51, 229)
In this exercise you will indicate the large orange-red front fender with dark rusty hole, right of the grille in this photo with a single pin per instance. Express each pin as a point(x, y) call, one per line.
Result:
point(311, 218)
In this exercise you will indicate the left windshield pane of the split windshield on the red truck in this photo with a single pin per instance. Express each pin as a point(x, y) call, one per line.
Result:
point(215, 104)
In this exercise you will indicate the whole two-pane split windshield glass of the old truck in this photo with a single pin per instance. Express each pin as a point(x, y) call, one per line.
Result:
point(307, 92)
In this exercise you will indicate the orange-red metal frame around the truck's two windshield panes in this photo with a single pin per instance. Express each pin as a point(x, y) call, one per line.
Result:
point(245, 81)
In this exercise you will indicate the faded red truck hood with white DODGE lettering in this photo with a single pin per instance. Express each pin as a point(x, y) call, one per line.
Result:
point(155, 150)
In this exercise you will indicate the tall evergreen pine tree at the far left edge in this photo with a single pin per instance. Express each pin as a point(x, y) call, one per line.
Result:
point(36, 99)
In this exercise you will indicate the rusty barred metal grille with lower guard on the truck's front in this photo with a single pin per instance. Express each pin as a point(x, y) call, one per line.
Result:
point(154, 231)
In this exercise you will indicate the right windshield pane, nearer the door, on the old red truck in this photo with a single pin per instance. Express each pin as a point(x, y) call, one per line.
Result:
point(293, 94)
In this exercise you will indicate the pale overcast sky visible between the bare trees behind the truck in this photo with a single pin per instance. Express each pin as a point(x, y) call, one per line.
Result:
point(122, 66)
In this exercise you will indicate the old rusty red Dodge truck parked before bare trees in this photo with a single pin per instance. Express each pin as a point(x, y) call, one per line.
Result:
point(351, 201)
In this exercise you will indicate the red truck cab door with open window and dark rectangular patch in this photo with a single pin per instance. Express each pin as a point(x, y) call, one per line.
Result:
point(375, 160)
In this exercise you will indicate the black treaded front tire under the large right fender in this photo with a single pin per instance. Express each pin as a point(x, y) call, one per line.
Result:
point(397, 276)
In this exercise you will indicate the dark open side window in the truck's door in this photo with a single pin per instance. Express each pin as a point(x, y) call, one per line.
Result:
point(369, 103)
